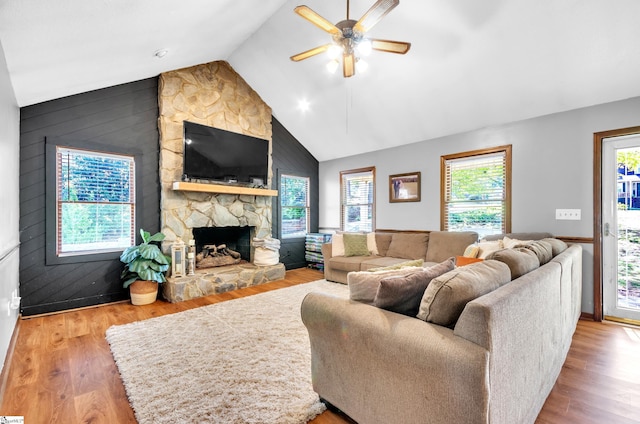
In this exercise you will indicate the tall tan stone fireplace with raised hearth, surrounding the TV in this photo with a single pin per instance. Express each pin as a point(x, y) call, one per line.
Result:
point(211, 94)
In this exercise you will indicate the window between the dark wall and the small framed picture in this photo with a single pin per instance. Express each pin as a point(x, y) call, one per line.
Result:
point(357, 201)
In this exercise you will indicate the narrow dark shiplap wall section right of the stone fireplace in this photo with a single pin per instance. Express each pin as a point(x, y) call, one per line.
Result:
point(289, 156)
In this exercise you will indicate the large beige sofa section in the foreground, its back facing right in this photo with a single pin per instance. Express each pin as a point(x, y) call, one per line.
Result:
point(494, 363)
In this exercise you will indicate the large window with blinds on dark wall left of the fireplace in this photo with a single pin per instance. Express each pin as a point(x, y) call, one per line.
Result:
point(95, 202)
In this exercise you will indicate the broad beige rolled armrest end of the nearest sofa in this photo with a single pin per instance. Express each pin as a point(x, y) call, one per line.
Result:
point(380, 367)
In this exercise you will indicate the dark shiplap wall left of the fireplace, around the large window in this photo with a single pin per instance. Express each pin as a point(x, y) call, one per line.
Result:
point(121, 116)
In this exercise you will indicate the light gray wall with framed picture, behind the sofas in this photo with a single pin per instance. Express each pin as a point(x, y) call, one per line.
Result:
point(552, 168)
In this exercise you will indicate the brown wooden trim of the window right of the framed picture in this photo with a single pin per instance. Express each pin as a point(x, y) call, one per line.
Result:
point(506, 149)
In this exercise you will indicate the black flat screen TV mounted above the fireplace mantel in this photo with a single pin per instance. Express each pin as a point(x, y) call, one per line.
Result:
point(217, 155)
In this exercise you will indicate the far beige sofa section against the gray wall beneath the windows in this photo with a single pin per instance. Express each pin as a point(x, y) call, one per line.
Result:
point(397, 247)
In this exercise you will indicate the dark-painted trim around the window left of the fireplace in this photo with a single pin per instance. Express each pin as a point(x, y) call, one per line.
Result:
point(51, 144)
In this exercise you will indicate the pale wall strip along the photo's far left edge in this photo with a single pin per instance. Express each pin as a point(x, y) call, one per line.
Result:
point(9, 199)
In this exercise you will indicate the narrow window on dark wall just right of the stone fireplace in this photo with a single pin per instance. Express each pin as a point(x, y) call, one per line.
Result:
point(294, 206)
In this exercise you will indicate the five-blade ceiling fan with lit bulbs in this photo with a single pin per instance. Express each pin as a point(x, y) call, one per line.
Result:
point(349, 37)
